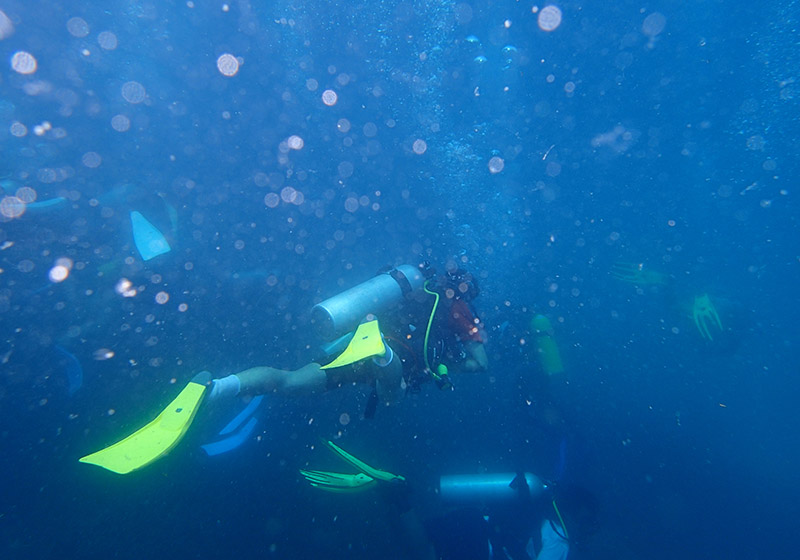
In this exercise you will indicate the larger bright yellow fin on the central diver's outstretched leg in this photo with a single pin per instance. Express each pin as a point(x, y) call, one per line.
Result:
point(158, 437)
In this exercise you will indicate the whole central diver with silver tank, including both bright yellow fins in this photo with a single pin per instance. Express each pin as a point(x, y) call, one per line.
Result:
point(364, 352)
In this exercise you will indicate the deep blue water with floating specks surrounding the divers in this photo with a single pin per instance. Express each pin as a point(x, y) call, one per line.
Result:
point(659, 135)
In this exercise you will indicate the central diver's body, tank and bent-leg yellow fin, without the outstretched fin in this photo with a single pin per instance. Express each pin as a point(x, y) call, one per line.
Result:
point(457, 342)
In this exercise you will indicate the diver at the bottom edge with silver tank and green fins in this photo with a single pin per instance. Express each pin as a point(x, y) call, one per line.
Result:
point(515, 516)
